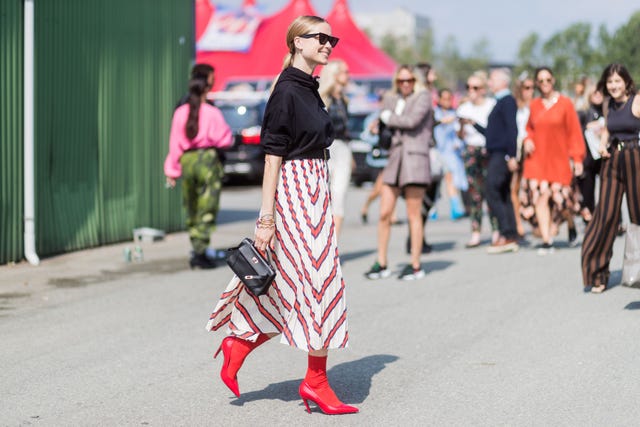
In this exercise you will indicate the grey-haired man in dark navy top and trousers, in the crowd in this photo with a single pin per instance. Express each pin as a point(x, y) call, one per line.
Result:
point(501, 134)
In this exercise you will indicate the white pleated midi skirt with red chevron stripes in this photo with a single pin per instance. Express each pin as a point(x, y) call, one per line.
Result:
point(306, 302)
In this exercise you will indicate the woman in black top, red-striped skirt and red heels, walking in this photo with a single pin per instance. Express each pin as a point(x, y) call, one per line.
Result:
point(306, 302)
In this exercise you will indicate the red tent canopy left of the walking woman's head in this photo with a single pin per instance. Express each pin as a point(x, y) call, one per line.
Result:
point(264, 59)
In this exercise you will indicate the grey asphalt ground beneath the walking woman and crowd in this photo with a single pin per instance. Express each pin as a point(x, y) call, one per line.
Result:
point(482, 340)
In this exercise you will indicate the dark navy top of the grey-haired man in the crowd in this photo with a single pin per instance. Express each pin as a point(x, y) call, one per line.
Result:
point(502, 129)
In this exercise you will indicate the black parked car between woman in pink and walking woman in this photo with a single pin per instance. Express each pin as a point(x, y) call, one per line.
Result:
point(244, 160)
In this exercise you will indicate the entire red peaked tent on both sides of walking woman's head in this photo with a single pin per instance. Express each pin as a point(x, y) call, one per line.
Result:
point(264, 58)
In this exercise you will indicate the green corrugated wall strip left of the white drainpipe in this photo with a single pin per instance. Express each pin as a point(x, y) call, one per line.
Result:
point(11, 122)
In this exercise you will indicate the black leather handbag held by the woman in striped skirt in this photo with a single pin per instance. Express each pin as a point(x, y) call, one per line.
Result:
point(251, 267)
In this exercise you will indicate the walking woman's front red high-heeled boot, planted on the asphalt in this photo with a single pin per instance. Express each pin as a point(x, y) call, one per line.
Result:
point(315, 387)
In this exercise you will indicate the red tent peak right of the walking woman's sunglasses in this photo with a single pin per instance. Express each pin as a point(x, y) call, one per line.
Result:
point(355, 48)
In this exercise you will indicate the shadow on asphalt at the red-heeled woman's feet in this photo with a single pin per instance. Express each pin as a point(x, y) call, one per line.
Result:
point(350, 380)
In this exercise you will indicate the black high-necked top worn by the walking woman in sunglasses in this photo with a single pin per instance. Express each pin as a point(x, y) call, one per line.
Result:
point(296, 123)
